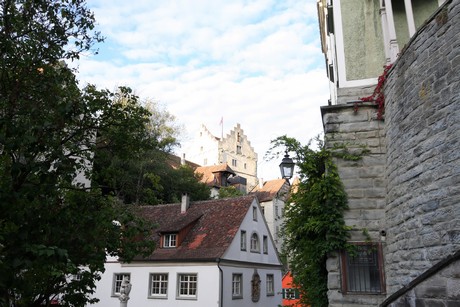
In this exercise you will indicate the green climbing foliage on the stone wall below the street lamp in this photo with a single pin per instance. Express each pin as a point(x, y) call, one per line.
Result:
point(314, 224)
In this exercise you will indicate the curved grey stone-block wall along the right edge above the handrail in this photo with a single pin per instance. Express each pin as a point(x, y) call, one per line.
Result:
point(422, 96)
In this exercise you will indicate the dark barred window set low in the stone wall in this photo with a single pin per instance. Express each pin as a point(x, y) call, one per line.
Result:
point(362, 269)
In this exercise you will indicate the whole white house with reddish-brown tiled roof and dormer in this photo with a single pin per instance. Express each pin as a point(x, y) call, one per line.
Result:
point(209, 253)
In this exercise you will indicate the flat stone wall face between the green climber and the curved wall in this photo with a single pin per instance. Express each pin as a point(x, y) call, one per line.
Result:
point(363, 181)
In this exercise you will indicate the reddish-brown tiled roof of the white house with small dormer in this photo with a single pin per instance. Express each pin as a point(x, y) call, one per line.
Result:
point(210, 227)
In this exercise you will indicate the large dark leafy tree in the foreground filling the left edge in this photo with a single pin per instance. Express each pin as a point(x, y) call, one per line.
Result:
point(52, 225)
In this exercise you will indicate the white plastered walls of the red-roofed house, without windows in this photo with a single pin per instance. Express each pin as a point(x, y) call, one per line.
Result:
point(215, 283)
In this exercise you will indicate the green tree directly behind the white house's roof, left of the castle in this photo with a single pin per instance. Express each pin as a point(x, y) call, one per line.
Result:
point(151, 177)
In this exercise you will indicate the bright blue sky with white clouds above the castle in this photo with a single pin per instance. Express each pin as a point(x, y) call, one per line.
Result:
point(257, 63)
